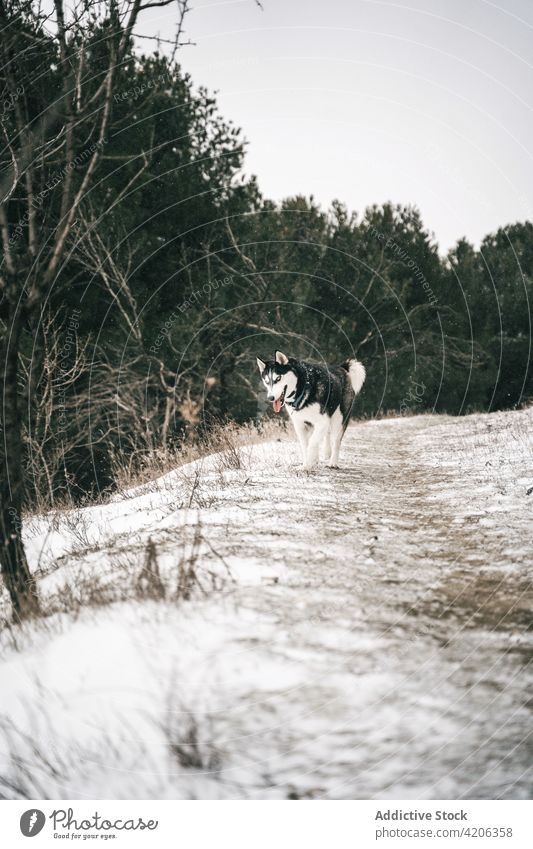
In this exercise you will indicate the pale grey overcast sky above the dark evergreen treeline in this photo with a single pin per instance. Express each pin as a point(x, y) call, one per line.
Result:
point(425, 101)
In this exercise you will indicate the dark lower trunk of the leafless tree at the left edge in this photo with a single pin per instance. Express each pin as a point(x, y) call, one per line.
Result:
point(19, 582)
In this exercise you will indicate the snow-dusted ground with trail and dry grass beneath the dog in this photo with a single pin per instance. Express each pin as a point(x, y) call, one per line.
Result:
point(354, 633)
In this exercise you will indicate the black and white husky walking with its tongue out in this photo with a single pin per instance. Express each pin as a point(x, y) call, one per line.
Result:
point(319, 400)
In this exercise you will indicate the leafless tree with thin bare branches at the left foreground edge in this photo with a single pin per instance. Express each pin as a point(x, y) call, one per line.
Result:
point(71, 133)
